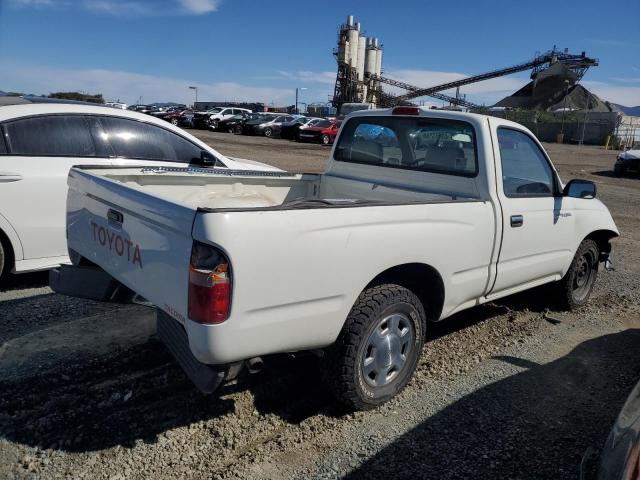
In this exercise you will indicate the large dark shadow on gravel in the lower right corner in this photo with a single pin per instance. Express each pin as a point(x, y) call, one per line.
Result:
point(537, 423)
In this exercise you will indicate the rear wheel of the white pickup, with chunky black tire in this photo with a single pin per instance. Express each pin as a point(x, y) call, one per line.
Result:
point(345, 362)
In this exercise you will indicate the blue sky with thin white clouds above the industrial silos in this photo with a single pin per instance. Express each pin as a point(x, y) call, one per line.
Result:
point(262, 50)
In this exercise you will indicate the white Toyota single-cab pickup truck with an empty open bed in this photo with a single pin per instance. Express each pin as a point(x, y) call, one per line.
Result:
point(420, 214)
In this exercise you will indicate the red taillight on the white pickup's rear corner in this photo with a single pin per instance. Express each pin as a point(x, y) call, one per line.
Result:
point(209, 285)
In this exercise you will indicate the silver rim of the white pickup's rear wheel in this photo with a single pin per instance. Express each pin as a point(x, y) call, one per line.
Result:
point(387, 350)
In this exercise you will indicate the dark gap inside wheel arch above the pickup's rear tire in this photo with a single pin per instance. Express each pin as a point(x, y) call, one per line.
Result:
point(422, 279)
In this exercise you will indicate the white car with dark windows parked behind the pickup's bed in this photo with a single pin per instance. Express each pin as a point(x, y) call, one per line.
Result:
point(40, 143)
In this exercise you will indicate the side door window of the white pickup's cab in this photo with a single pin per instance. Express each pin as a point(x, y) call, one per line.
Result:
point(525, 170)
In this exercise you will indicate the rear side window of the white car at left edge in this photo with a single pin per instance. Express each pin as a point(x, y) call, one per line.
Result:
point(53, 135)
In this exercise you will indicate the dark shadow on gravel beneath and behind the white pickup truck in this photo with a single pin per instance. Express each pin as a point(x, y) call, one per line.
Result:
point(95, 402)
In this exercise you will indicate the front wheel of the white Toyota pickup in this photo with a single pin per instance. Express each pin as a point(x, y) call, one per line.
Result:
point(575, 288)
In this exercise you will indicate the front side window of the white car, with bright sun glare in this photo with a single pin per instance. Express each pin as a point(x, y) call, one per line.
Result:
point(138, 140)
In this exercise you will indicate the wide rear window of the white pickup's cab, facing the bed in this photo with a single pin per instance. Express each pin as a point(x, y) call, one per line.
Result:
point(416, 143)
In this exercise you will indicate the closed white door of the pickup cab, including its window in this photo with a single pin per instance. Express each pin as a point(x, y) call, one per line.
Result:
point(537, 222)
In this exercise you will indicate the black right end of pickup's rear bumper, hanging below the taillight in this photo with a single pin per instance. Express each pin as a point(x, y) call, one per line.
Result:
point(206, 377)
